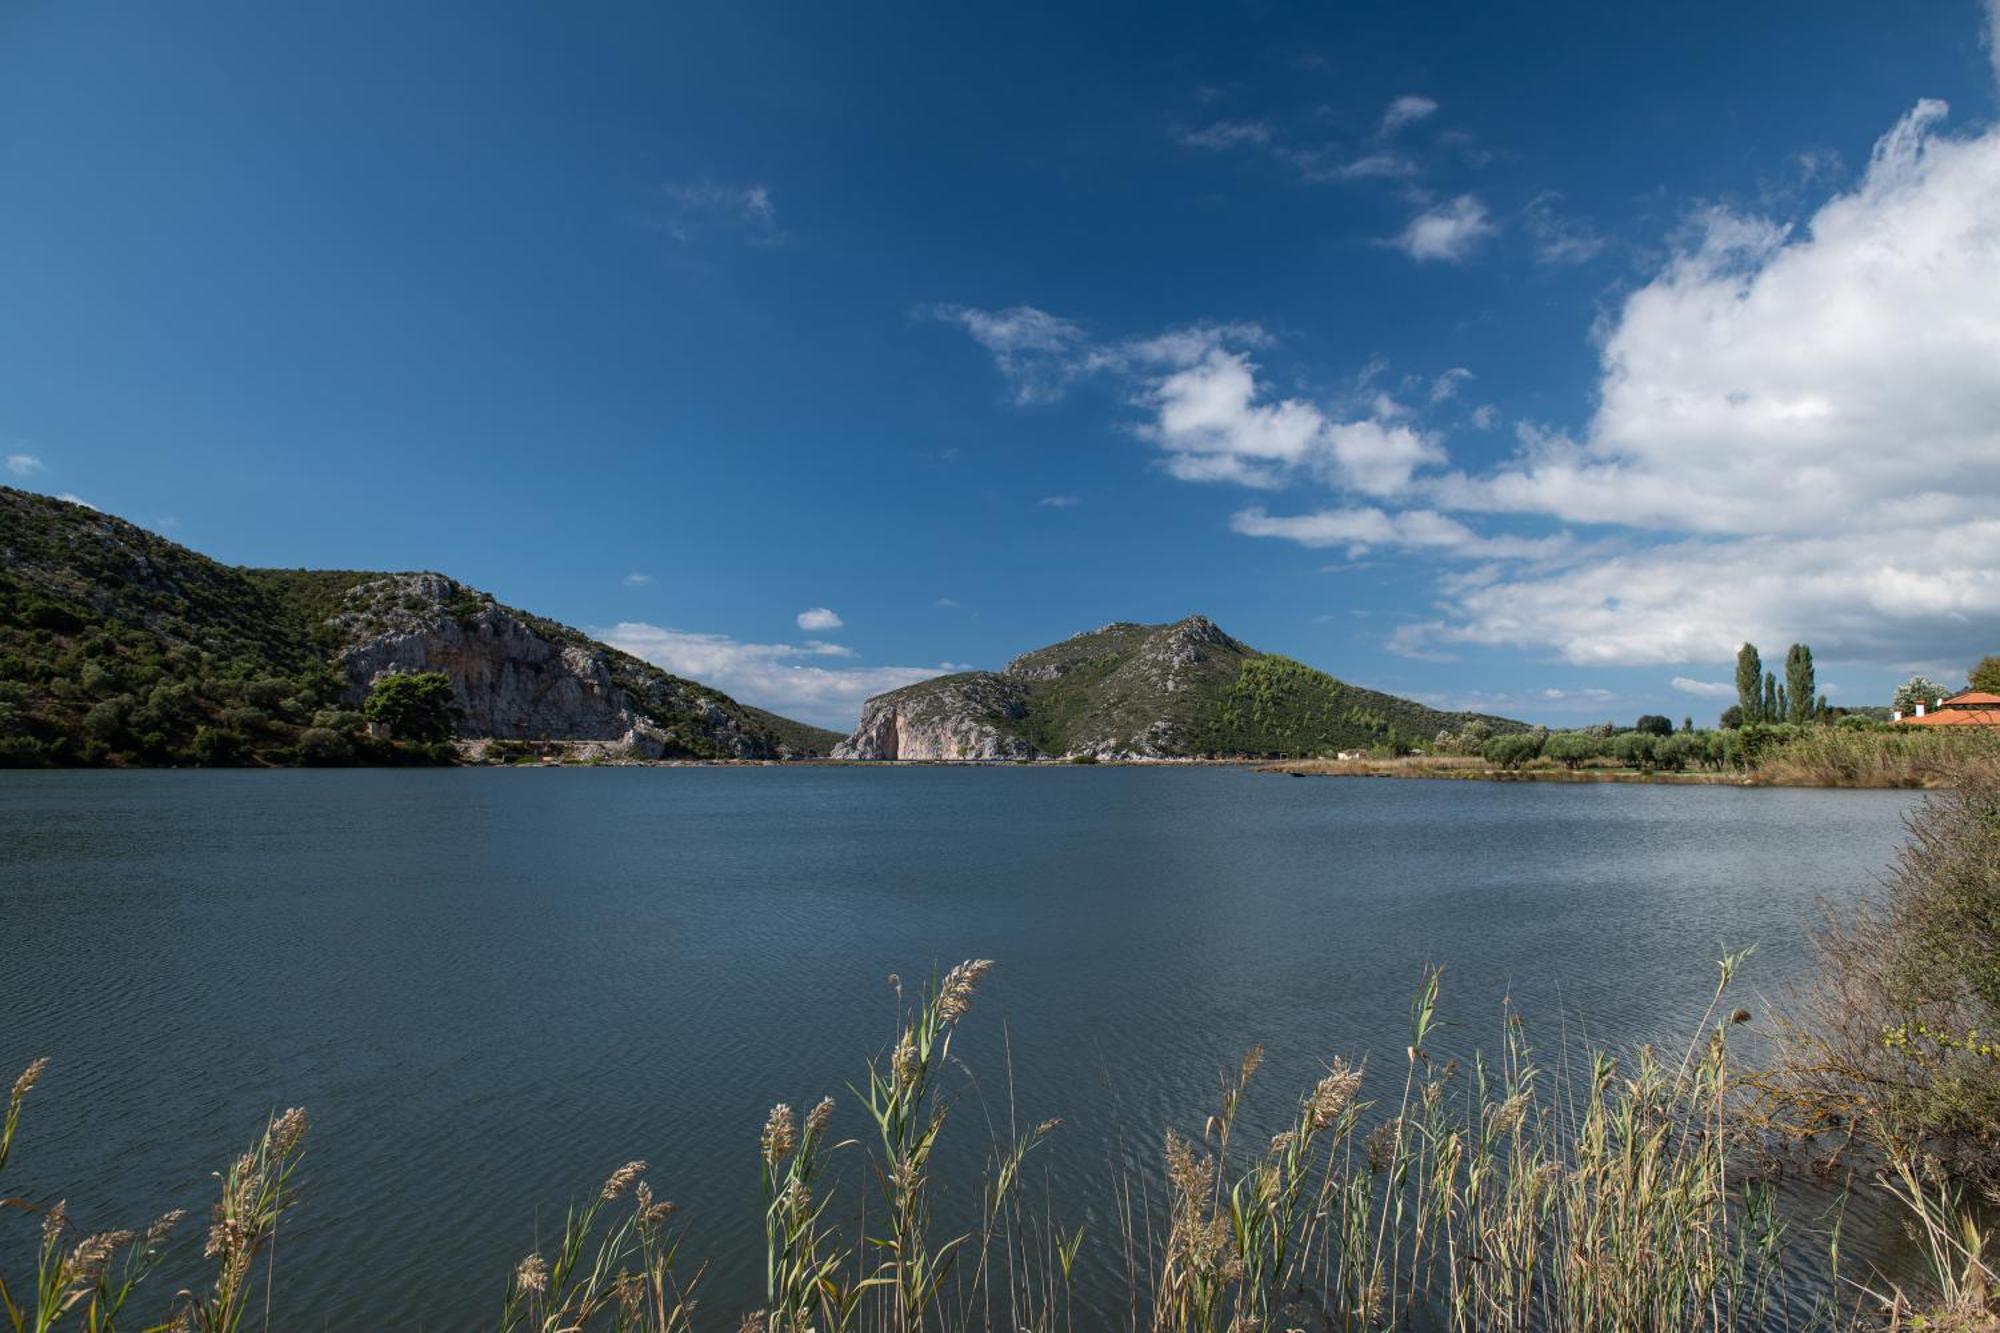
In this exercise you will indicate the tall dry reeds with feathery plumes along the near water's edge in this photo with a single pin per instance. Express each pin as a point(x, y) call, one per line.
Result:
point(1439, 1196)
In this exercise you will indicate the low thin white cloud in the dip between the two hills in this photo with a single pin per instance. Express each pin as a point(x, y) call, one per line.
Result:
point(771, 676)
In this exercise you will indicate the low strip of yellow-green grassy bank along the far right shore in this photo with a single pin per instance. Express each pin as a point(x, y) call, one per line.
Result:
point(1923, 760)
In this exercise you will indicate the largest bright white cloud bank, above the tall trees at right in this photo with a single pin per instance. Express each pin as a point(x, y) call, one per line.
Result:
point(1813, 419)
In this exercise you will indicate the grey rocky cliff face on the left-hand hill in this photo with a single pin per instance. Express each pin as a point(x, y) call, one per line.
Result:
point(519, 678)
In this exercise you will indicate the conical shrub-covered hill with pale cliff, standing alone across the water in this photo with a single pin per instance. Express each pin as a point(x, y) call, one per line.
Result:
point(1149, 692)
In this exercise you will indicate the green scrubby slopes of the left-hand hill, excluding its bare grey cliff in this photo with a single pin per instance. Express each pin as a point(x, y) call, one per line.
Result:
point(121, 647)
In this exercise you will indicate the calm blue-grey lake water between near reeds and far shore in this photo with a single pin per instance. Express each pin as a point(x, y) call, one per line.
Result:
point(491, 988)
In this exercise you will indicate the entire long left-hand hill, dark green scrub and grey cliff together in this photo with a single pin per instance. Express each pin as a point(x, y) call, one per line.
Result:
point(123, 647)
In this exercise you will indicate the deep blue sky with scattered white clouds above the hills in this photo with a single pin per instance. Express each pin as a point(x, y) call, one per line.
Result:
point(1507, 357)
